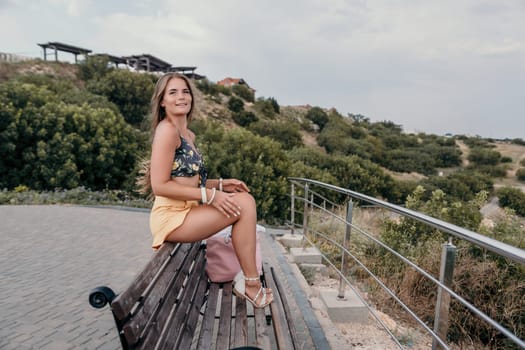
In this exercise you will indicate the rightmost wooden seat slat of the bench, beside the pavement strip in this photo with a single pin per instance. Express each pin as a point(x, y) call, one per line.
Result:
point(283, 335)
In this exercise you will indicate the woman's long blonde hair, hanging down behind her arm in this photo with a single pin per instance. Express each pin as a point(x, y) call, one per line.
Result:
point(158, 113)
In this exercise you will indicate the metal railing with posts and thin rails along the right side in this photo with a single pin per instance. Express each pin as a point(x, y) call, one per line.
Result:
point(312, 200)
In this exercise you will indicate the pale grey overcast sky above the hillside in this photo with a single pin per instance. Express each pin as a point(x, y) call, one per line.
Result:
point(443, 66)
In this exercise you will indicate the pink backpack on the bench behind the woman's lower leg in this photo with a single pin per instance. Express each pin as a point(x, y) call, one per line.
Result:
point(221, 262)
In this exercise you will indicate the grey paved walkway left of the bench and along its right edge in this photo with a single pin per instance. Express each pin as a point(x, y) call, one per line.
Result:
point(52, 256)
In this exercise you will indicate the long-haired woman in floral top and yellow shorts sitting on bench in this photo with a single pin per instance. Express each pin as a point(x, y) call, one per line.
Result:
point(188, 207)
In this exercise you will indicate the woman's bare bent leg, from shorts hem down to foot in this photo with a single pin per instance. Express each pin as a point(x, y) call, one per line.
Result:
point(204, 221)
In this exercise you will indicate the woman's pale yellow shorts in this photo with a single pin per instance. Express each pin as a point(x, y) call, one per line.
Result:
point(166, 215)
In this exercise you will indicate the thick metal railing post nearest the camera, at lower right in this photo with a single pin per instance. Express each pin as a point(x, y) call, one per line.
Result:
point(441, 319)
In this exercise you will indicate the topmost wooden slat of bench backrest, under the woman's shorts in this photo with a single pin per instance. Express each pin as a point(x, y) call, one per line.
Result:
point(124, 303)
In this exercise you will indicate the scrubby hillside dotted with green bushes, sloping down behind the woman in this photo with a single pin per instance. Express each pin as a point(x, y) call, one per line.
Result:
point(351, 151)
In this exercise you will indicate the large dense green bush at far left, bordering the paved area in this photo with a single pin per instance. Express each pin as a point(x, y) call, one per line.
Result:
point(48, 144)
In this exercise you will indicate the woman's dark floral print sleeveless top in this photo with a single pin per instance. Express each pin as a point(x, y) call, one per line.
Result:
point(188, 162)
